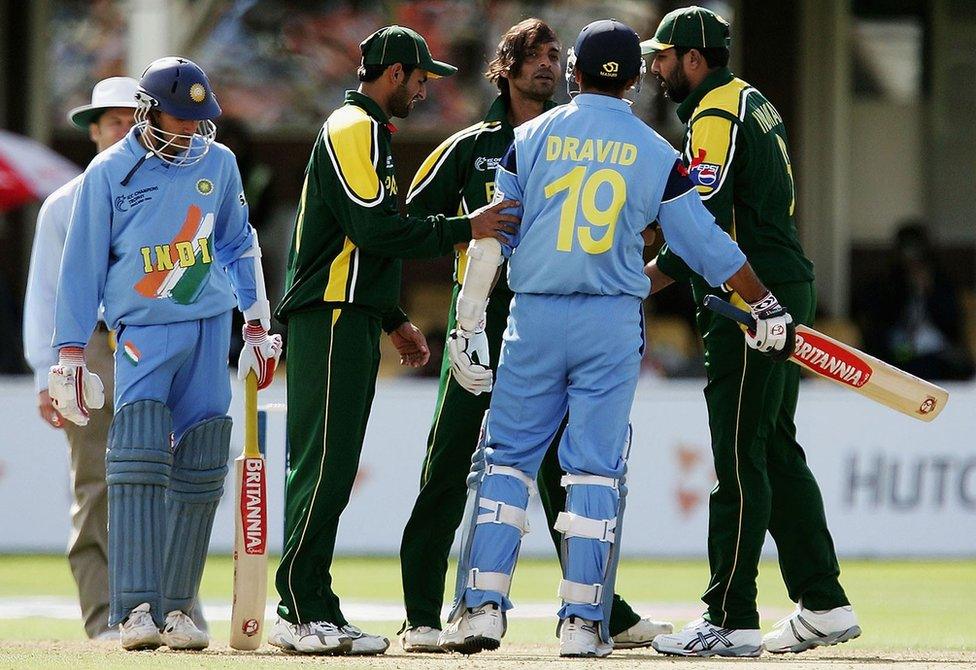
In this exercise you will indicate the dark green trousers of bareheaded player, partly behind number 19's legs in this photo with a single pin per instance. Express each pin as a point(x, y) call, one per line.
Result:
point(436, 515)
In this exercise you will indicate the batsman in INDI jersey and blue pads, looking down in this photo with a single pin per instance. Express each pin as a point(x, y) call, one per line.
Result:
point(159, 236)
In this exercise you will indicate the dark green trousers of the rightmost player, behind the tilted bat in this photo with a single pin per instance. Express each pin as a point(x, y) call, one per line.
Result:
point(764, 482)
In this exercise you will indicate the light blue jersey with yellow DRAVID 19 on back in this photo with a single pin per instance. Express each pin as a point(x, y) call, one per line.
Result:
point(591, 177)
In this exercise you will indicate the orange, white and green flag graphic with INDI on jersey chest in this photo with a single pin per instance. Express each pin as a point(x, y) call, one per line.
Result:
point(182, 267)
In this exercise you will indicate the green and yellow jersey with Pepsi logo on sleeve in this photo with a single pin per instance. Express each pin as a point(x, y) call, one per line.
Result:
point(736, 154)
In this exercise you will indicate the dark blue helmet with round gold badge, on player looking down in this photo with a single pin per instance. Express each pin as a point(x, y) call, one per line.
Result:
point(178, 86)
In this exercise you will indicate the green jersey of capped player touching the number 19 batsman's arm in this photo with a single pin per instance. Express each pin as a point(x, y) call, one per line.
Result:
point(349, 235)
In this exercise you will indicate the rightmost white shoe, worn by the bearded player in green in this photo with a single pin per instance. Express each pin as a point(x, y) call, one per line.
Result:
point(805, 629)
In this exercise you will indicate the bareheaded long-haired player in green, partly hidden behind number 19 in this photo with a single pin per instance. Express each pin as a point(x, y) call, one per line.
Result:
point(456, 178)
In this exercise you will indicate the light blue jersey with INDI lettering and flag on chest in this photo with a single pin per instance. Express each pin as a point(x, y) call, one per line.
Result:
point(166, 247)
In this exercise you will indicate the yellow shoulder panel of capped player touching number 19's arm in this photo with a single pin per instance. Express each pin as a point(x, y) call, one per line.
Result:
point(353, 147)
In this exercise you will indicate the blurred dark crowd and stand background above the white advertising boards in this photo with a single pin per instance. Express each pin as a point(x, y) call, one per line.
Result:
point(877, 97)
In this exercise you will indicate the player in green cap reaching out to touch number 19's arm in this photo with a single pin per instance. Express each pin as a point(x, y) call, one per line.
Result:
point(342, 290)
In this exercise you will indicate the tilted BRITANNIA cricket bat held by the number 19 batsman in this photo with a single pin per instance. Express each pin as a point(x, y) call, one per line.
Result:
point(853, 369)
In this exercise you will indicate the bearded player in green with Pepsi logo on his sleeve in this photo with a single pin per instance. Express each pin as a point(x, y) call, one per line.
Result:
point(735, 152)
